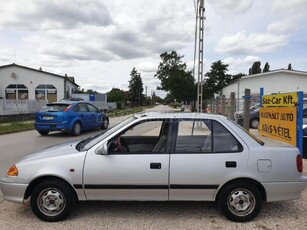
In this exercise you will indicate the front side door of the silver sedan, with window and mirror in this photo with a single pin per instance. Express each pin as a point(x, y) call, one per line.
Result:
point(133, 169)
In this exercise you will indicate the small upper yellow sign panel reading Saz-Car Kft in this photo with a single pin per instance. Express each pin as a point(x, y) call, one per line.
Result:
point(283, 99)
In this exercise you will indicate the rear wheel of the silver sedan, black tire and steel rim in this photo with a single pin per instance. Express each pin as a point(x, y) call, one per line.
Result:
point(240, 201)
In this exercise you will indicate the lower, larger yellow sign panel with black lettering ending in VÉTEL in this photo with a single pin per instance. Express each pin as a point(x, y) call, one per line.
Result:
point(279, 124)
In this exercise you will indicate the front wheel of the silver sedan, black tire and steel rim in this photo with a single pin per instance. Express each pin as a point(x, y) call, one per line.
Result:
point(52, 200)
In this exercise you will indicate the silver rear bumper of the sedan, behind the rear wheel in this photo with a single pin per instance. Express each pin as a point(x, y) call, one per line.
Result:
point(285, 190)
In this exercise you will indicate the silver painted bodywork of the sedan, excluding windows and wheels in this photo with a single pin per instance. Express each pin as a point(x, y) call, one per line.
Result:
point(181, 176)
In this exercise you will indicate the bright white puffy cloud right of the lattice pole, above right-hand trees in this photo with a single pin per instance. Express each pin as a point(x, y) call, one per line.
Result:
point(241, 43)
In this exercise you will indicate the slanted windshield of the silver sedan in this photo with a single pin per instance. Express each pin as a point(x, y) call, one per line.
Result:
point(91, 141)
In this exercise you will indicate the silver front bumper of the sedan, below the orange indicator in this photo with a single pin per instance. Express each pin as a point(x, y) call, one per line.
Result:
point(13, 191)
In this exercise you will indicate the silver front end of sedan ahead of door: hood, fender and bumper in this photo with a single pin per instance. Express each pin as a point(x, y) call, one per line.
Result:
point(61, 161)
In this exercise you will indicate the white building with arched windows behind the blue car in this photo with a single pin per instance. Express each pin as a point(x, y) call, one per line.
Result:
point(24, 83)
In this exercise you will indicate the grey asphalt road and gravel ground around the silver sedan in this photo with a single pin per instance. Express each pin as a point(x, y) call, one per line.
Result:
point(135, 215)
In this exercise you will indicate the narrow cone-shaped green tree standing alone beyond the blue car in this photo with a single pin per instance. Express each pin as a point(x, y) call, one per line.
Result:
point(135, 88)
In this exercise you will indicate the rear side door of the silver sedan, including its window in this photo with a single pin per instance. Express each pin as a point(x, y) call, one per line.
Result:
point(205, 155)
